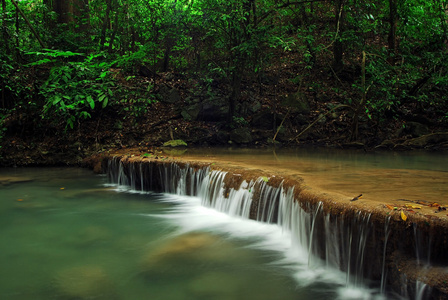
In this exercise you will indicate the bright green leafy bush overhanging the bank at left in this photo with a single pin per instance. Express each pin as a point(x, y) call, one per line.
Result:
point(74, 88)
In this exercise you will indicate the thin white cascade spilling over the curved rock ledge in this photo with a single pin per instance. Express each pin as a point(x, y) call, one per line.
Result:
point(322, 243)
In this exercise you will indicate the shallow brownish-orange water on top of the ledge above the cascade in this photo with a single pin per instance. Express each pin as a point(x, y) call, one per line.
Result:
point(379, 176)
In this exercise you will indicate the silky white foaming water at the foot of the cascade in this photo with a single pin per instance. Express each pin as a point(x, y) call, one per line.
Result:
point(271, 241)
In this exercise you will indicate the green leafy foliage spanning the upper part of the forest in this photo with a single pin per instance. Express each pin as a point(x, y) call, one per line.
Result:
point(223, 41)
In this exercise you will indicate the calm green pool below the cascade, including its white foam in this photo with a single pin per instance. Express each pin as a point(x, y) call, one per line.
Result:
point(66, 234)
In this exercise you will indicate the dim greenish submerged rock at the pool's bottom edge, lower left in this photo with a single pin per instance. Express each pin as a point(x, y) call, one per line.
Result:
point(84, 282)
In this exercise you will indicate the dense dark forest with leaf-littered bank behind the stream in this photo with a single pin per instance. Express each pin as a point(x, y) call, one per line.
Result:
point(83, 76)
